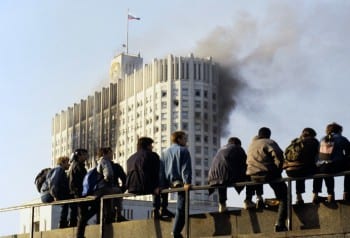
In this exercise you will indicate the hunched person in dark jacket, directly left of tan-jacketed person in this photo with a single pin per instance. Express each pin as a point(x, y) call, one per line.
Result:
point(229, 166)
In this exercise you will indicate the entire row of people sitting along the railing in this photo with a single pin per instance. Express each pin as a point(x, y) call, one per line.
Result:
point(149, 173)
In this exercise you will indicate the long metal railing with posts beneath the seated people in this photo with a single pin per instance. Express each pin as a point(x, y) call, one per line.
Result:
point(288, 180)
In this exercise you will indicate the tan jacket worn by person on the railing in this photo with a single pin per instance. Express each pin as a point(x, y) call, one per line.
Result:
point(264, 156)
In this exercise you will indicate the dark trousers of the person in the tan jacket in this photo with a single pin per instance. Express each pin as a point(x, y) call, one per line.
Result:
point(280, 190)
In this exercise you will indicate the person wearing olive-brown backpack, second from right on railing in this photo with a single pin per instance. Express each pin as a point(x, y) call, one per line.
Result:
point(299, 159)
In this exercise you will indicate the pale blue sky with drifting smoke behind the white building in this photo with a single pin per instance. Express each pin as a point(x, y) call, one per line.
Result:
point(293, 56)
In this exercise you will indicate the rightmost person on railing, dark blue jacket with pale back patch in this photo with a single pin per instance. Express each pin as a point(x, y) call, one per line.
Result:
point(333, 158)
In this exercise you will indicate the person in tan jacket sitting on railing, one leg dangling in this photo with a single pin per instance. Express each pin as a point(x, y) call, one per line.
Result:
point(264, 164)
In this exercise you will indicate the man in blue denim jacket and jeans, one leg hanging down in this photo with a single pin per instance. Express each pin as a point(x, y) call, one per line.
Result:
point(177, 169)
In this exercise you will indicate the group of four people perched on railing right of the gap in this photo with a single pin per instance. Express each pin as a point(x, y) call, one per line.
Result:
point(265, 161)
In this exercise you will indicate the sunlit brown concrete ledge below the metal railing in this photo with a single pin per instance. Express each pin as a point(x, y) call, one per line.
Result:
point(308, 220)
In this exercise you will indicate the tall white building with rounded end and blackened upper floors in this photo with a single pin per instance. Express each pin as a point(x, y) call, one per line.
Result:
point(155, 99)
